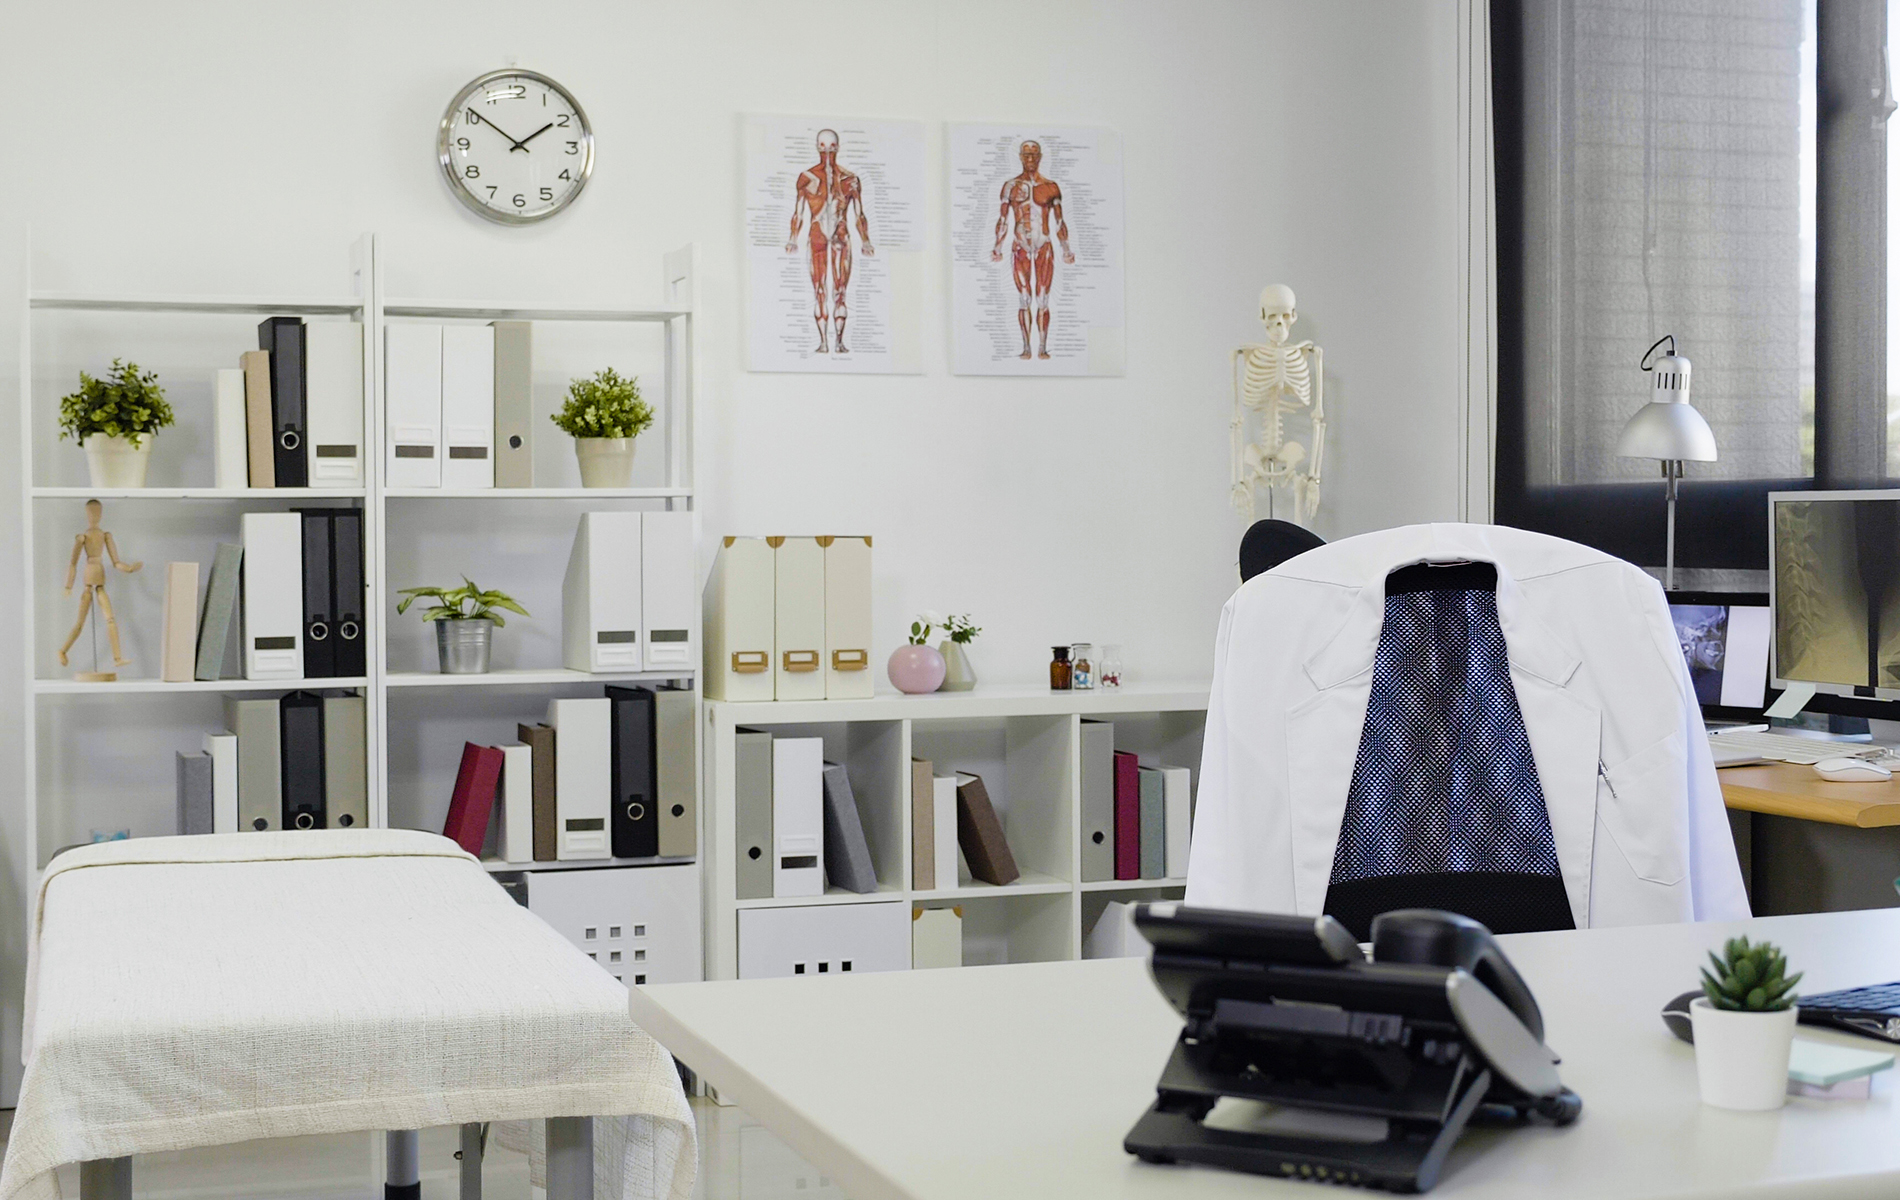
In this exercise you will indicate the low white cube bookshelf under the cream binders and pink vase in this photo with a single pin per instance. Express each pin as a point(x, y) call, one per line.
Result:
point(1027, 747)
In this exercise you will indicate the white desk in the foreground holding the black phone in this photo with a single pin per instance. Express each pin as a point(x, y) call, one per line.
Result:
point(1017, 1083)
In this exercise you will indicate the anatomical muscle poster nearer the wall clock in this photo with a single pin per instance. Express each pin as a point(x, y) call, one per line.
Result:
point(833, 244)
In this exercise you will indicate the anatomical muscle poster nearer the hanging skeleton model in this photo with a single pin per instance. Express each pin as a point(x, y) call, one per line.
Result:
point(1036, 233)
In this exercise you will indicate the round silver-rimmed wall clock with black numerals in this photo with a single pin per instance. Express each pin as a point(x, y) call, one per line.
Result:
point(516, 147)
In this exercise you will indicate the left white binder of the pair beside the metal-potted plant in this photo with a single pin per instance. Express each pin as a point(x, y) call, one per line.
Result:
point(601, 595)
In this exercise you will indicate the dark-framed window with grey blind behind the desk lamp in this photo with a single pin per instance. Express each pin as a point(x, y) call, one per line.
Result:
point(1707, 172)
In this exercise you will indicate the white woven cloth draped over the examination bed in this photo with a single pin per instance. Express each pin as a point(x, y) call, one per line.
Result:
point(189, 992)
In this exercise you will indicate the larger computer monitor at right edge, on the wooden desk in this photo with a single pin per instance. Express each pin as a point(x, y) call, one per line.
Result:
point(1834, 582)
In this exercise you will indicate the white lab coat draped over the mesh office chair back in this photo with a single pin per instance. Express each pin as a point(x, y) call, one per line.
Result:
point(1612, 719)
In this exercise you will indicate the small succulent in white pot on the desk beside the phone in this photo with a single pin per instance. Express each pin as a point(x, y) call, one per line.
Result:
point(1745, 1026)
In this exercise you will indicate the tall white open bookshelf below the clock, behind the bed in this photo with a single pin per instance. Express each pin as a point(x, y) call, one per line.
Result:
point(100, 755)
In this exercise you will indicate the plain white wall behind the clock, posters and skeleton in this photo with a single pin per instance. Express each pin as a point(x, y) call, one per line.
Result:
point(227, 149)
